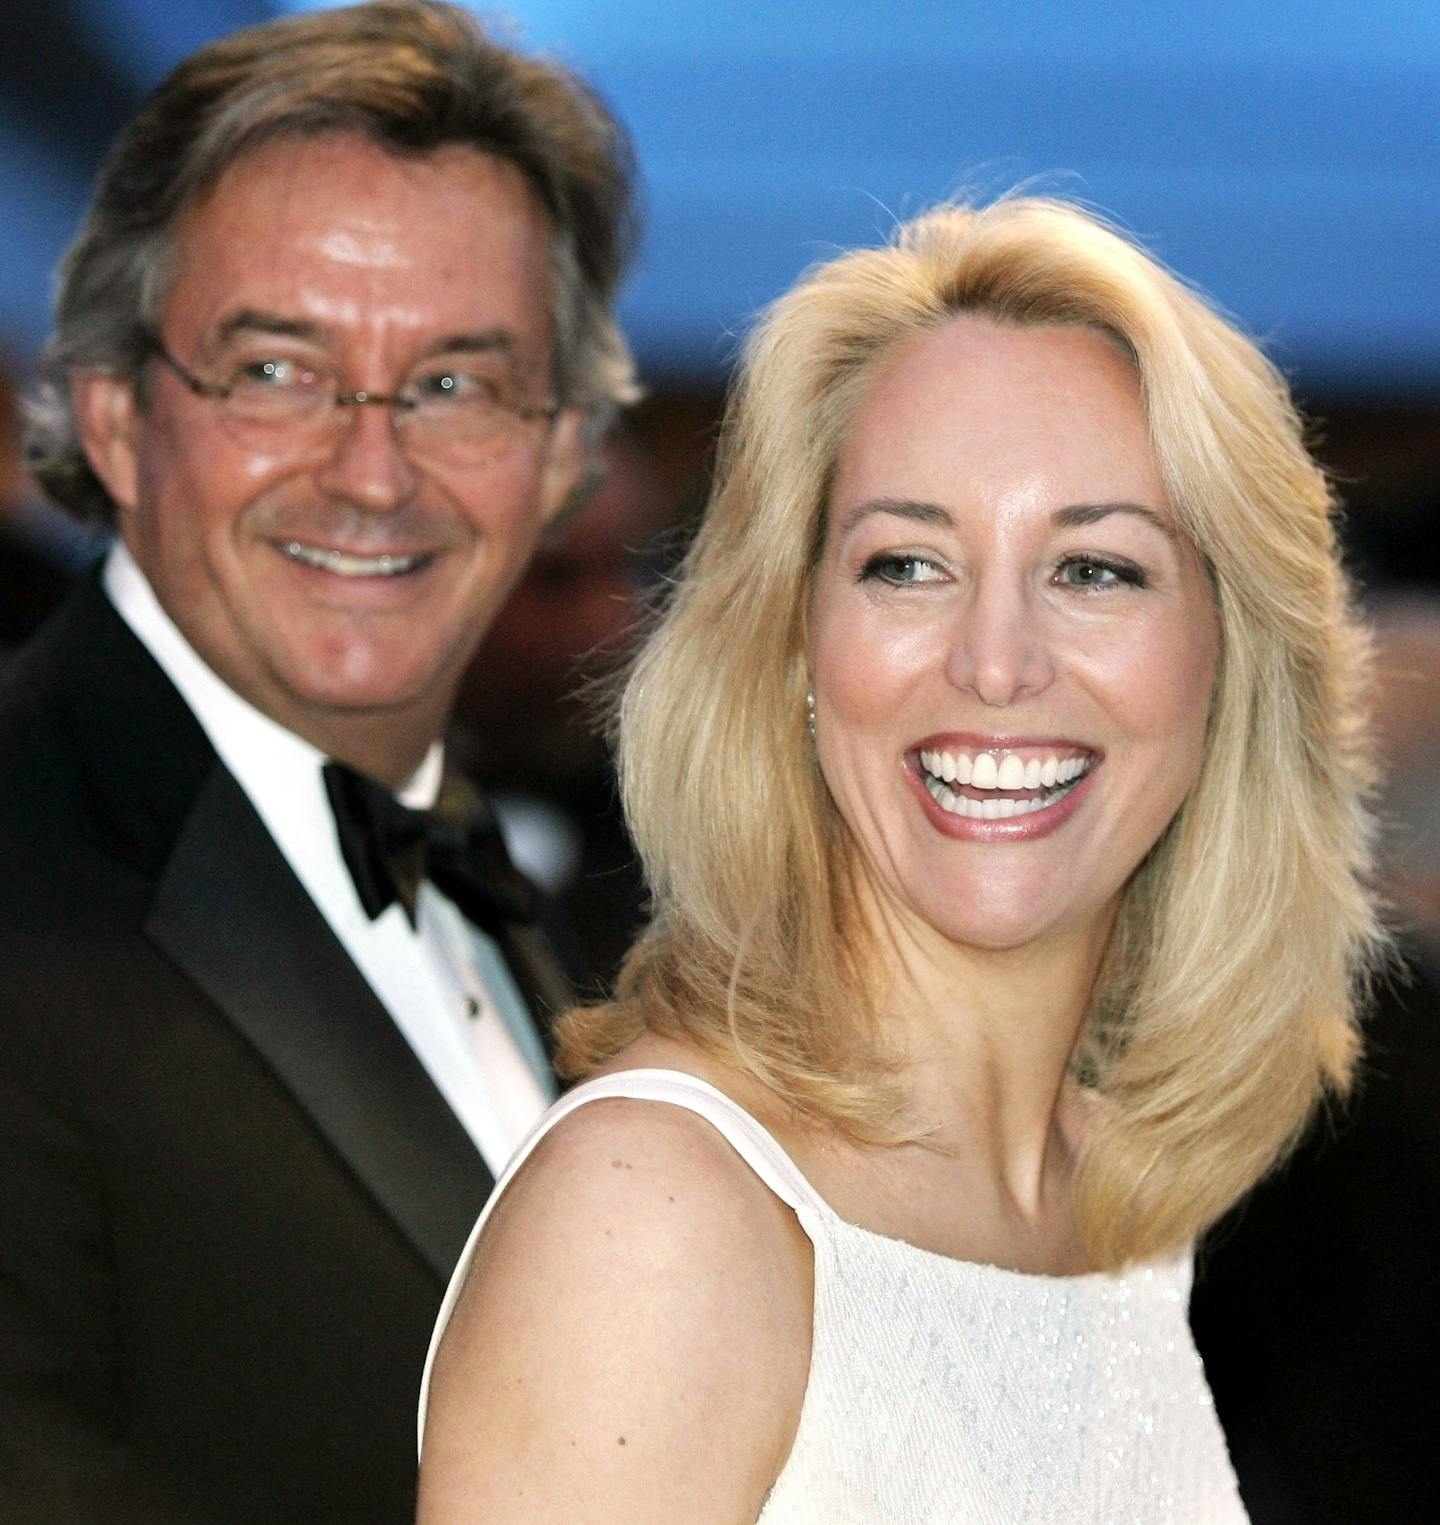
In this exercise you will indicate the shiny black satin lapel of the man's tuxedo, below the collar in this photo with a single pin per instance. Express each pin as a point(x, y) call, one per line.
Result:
point(230, 911)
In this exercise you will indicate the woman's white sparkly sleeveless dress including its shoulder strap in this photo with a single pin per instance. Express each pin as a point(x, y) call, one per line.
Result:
point(945, 1392)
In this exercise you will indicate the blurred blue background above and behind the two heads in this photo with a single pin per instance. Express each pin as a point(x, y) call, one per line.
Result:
point(1282, 155)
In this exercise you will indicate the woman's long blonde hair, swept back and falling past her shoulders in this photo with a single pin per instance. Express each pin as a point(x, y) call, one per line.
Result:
point(1226, 1004)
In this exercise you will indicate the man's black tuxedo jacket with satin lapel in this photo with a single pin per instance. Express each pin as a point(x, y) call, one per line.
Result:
point(230, 1193)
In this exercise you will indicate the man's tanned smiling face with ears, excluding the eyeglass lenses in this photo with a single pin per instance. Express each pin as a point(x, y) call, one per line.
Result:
point(341, 579)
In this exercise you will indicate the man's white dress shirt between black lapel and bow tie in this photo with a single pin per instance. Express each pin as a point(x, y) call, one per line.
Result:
point(445, 983)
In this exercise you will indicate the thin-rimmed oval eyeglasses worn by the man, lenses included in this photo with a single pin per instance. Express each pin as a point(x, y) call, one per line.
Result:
point(442, 408)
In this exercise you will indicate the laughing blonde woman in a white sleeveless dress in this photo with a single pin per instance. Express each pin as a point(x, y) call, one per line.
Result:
point(997, 775)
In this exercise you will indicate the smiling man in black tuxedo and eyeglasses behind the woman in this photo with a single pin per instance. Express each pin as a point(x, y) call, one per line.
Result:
point(332, 350)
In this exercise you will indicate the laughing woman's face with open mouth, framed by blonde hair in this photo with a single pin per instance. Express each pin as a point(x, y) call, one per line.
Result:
point(1014, 644)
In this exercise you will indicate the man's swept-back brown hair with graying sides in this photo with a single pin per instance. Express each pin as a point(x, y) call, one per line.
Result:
point(411, 75)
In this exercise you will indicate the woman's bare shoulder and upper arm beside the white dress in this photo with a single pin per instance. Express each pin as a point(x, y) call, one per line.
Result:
point(634, 1337)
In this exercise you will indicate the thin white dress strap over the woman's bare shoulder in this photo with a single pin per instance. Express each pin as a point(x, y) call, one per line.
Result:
point(753, 1143)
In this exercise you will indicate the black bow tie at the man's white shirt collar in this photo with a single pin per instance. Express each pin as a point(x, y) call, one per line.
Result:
point(390, 849)
